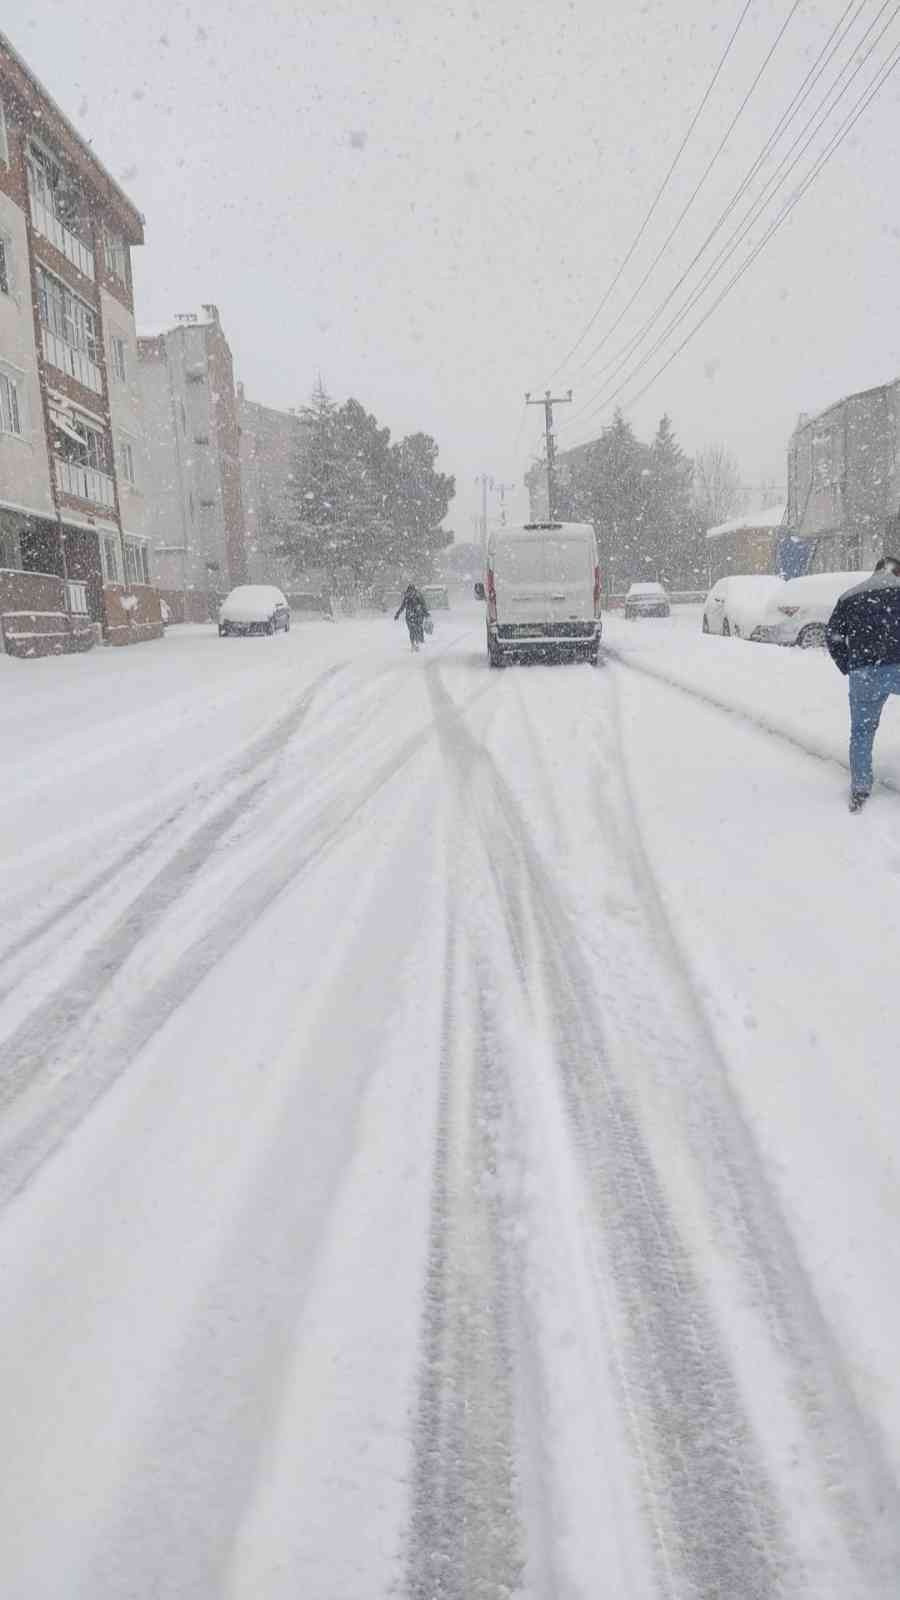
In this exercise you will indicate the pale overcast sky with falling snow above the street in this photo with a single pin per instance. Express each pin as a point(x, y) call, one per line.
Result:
point(427, 202)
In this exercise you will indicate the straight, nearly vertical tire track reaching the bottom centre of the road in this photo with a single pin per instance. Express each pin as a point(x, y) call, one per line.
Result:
point(465, 1537)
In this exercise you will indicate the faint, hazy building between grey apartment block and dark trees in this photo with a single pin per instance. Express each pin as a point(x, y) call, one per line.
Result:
point(270, 452)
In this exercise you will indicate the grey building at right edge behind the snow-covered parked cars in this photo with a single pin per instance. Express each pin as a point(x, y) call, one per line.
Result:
point(845, 479)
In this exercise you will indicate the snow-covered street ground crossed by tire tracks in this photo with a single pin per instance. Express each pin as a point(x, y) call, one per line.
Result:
point(449, 1124)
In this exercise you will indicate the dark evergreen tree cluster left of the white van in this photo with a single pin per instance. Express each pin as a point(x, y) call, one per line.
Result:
point(360, 503)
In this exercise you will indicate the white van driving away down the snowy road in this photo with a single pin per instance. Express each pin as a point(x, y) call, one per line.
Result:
point(544, 593)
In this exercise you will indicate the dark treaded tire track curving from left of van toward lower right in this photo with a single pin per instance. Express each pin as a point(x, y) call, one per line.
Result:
point(715, 1514)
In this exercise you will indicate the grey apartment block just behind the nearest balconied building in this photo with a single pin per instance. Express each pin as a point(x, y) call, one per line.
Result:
point(196, 508)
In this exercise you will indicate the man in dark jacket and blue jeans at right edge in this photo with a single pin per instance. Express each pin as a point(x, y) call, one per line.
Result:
point(864, 642)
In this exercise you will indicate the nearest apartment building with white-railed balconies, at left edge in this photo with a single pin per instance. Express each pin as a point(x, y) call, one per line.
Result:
point(73, 460)
